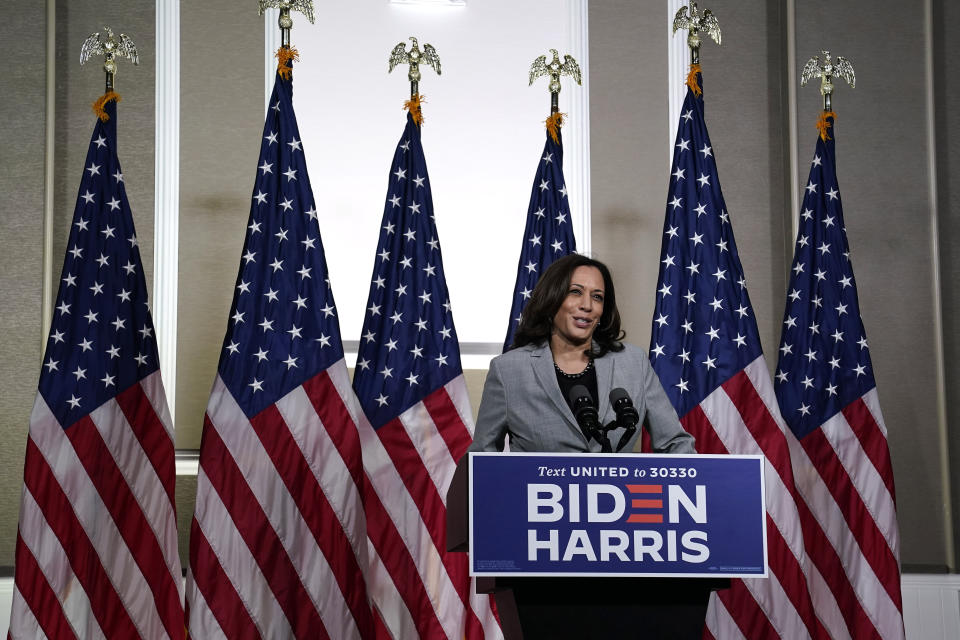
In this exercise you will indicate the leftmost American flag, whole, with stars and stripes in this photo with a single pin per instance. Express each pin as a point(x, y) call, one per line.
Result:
point(96, 553)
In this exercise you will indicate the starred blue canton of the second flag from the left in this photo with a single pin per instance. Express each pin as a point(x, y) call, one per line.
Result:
point(283, 327)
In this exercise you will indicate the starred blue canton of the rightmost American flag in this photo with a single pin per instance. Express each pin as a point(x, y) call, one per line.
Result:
point(824, 362)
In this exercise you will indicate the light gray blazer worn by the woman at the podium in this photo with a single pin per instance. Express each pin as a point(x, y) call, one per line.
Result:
point(521, 398)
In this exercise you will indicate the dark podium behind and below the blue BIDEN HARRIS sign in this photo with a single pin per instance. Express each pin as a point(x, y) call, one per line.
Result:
point(594, 605)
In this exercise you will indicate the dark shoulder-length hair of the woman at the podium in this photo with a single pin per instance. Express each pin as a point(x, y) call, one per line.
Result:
point(536, 322)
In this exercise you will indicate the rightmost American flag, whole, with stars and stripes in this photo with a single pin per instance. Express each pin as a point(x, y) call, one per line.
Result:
point(828, 397)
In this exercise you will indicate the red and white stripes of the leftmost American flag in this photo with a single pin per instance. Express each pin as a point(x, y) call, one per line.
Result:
point(97, 546)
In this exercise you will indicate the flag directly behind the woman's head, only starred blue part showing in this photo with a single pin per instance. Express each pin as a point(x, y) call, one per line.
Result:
point(549, 231)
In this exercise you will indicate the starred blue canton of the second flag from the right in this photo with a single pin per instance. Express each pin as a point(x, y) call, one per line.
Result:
point(704, 329)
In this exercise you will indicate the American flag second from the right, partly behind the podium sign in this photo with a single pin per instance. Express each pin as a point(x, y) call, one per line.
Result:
point(706, 349)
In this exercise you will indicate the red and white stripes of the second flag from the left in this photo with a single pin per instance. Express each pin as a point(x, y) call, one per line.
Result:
point(278, 543)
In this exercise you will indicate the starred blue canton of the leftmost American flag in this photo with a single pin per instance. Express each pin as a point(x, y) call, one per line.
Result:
point(101, 339)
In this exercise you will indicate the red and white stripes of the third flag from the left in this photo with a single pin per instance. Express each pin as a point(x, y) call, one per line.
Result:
point(419, 589)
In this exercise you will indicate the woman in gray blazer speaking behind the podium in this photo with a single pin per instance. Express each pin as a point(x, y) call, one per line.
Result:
point(570, 335)
